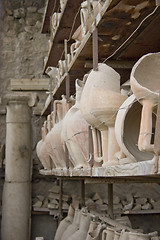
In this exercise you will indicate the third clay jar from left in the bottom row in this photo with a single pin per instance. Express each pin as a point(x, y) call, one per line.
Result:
point(81, 234)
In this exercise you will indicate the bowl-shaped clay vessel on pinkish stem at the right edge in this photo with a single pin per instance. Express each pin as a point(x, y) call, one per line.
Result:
point(144, 80)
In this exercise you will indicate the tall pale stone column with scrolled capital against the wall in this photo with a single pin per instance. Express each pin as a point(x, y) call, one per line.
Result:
point(16, 203)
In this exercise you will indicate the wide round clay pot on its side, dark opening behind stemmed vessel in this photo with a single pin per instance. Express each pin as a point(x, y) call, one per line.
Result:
point(127, 126)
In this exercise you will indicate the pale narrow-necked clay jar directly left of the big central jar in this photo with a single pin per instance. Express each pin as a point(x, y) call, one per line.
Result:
point(75, 132)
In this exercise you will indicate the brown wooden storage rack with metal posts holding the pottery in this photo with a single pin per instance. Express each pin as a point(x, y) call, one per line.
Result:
point(120, 36)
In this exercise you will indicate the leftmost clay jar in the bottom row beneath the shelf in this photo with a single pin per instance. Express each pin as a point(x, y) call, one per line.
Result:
point(65, 223)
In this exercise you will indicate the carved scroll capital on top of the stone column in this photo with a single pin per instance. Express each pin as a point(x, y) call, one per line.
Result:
point(30, 98)
